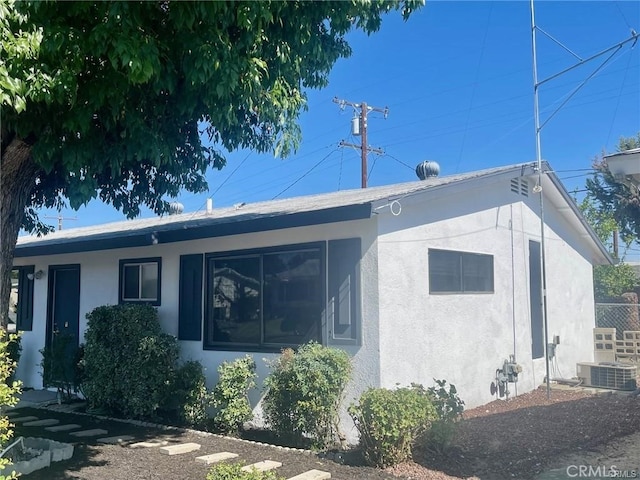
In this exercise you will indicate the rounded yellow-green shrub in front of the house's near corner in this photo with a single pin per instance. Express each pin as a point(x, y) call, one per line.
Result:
point(389, 421)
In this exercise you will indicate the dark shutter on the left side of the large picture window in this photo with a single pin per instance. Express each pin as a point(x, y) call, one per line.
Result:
point(190, 301)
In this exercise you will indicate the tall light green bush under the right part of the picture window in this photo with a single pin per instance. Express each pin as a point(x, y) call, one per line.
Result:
point(304, 391)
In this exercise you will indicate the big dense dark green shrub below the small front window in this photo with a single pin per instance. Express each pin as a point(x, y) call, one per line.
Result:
point(128, 362)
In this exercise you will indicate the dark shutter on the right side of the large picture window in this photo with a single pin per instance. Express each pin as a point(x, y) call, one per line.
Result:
point(344, 291)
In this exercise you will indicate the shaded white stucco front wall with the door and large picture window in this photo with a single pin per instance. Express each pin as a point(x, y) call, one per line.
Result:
point(99, 286)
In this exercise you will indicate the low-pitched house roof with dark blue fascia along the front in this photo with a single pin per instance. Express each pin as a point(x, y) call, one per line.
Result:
point(263, 216)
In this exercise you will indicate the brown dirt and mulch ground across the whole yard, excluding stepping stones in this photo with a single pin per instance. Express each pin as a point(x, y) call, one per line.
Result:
point(527, 437)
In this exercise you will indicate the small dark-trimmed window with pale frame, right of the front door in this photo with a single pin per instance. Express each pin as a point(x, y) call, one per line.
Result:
point(140, 280)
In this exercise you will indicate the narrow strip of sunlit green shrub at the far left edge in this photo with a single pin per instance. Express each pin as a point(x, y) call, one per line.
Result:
point(8, 394)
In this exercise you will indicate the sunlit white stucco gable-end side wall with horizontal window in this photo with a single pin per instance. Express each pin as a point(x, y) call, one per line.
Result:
point(464, 338)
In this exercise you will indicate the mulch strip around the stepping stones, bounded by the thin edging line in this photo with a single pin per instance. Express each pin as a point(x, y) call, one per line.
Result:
point(93, 461)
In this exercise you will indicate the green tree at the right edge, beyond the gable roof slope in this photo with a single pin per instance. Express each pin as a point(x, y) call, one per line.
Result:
point(613, 209)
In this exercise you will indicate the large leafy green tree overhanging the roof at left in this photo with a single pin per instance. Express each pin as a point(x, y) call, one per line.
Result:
point(112, 99)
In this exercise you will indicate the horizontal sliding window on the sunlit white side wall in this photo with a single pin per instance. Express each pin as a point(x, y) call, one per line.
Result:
point(460, 272)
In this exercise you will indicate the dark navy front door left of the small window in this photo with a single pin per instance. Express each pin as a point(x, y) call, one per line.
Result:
point(63, 323)
